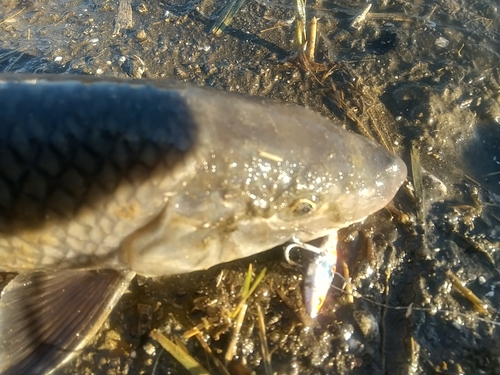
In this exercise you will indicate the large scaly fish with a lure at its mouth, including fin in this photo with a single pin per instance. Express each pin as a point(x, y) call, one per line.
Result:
point(102, 179)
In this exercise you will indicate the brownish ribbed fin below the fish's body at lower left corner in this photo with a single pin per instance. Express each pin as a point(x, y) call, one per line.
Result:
point(46, 317)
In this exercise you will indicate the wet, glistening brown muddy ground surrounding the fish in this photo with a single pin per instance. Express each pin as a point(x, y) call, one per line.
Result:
point(421, 75)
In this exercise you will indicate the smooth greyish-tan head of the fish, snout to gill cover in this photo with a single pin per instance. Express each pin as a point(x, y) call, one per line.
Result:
point(278, 173)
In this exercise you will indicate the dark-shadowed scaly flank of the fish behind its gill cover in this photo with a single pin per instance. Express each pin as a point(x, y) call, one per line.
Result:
point(65, 166)
